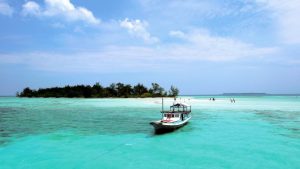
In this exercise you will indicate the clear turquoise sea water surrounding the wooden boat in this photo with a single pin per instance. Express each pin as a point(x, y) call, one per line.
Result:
point(255, 132)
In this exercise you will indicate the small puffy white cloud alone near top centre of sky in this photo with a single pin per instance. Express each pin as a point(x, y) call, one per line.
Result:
point(138, 28)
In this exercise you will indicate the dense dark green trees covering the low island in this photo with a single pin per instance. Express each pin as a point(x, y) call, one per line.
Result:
point(98, 91)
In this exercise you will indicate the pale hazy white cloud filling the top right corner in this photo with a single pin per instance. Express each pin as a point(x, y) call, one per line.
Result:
point(287, 15)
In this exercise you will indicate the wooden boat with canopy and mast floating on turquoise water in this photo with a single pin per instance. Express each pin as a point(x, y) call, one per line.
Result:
point(178, 116)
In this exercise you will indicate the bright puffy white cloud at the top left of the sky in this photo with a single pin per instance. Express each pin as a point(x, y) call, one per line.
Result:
point(60, 8)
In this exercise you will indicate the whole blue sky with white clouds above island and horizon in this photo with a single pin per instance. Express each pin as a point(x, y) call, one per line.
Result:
point(200, 46)
